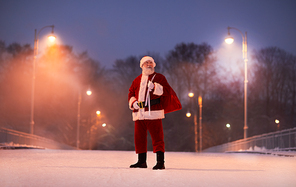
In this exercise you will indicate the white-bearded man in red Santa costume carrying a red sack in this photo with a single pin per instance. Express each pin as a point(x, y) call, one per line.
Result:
point(150, 98)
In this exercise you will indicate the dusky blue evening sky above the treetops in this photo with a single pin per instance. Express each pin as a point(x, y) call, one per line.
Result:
point(115, 29)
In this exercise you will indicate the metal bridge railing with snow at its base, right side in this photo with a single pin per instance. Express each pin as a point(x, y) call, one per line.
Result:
point(284, 140)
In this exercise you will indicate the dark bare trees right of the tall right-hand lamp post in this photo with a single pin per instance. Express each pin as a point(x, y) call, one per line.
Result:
point(273, 88)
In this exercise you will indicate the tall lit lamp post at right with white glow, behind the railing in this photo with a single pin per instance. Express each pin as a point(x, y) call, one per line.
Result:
point(229, 40)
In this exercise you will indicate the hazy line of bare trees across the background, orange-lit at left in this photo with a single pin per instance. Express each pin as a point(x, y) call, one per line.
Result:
point(61, 75)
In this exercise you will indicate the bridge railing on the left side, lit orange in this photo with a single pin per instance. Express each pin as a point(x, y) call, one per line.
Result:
point(14, 138)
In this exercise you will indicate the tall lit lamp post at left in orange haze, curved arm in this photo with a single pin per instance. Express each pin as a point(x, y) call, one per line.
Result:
point(36, 41)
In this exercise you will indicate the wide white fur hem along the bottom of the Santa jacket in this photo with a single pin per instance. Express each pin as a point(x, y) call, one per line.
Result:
point(144, 115)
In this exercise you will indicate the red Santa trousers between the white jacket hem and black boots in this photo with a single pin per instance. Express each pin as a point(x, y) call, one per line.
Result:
point(156, 131)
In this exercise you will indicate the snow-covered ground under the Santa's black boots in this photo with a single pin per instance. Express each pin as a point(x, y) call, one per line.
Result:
point(59, 168)
